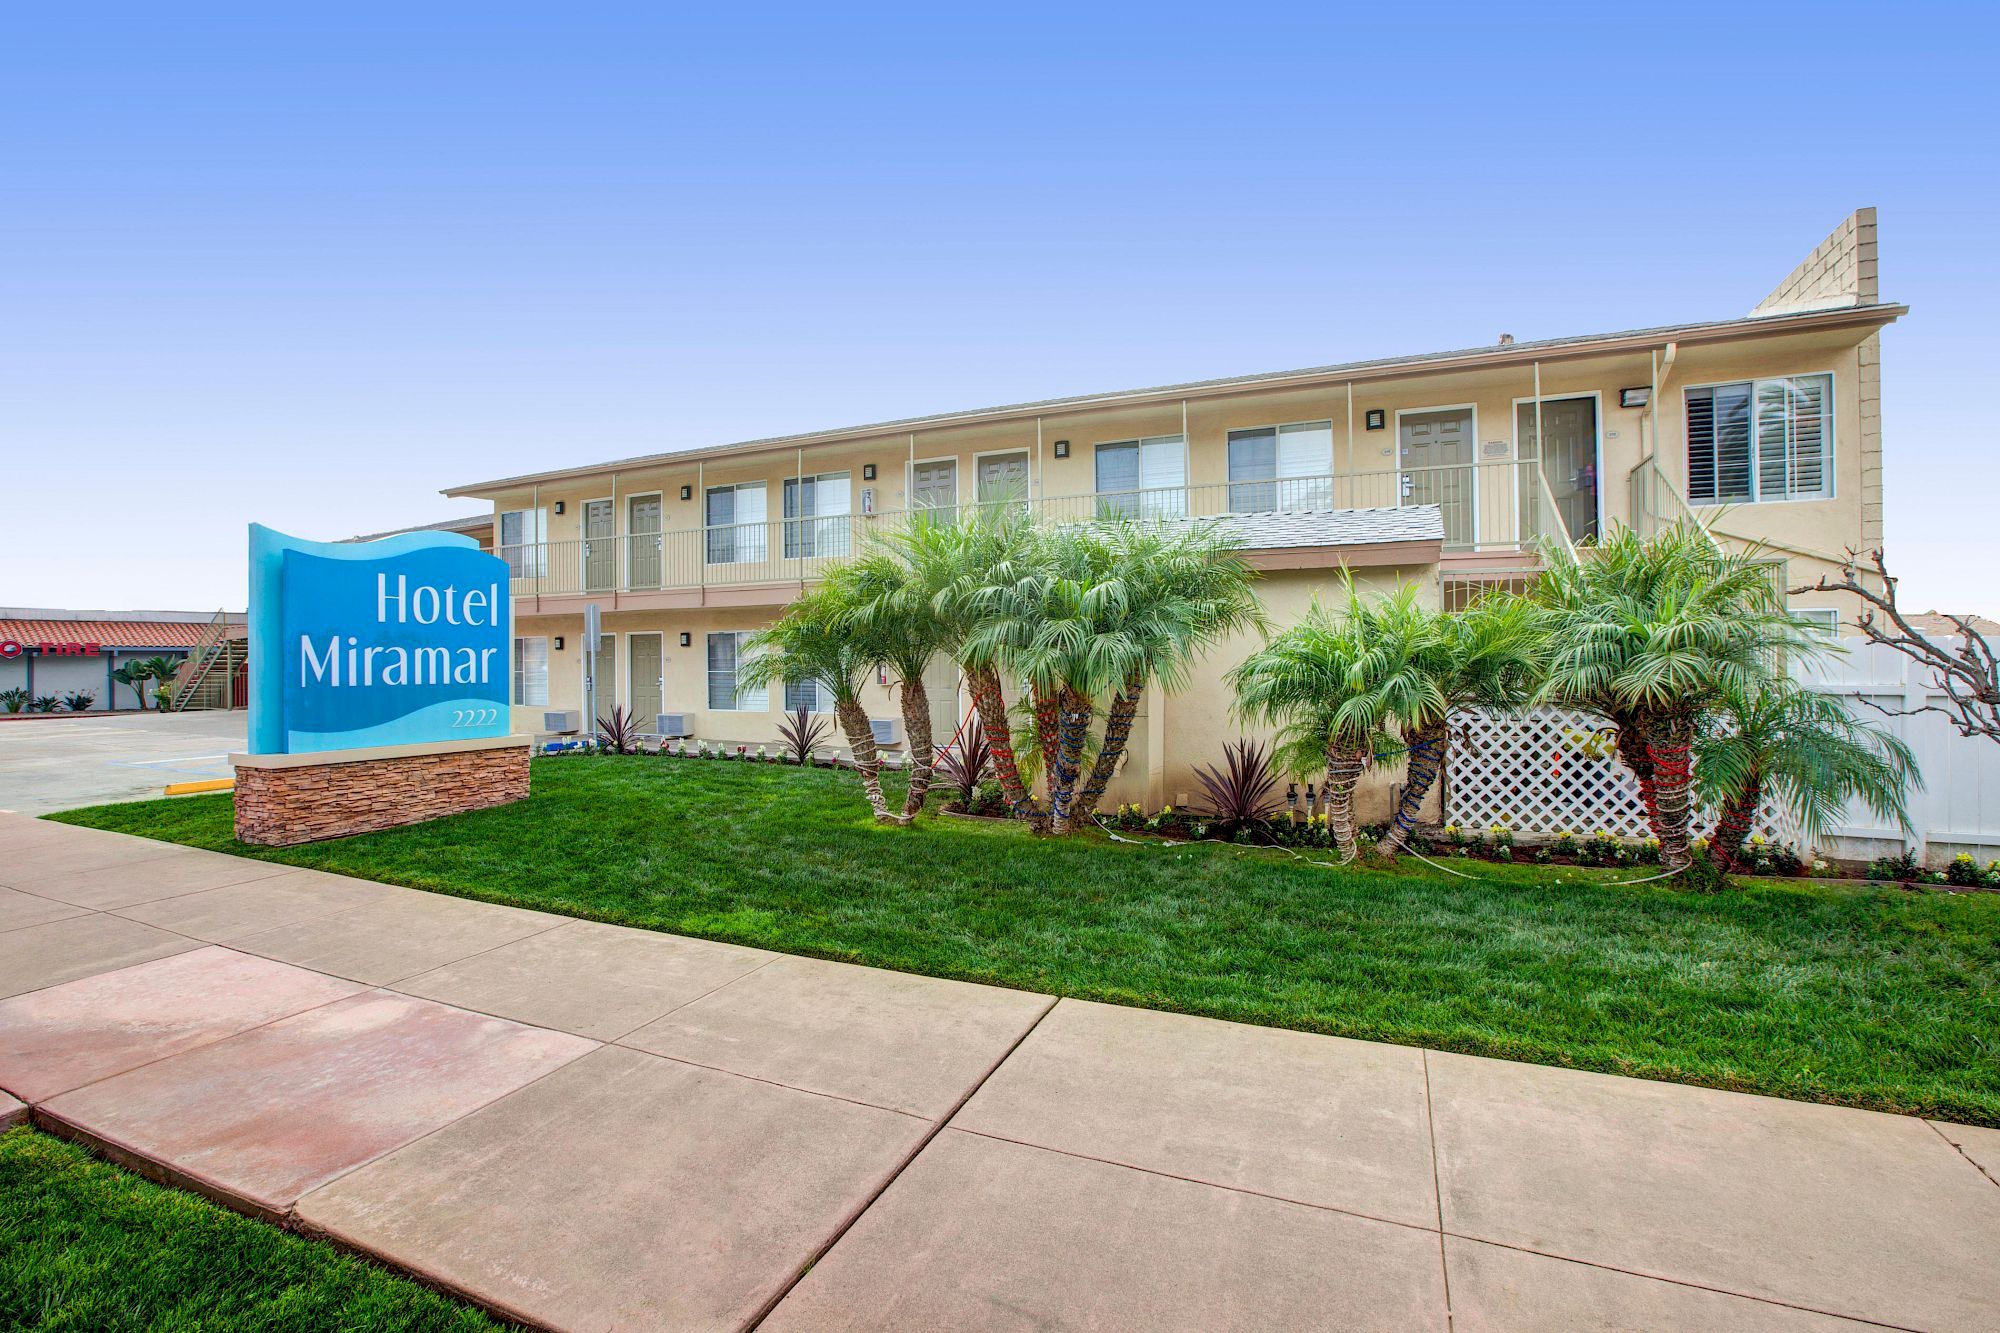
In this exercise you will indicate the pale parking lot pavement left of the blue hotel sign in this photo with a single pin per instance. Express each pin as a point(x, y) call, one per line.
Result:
point(65, 762)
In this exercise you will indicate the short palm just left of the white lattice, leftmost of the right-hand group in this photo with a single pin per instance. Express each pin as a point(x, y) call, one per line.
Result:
point(1313, 684)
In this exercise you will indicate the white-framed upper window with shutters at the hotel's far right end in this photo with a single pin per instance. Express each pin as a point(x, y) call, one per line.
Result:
point(1761, 441)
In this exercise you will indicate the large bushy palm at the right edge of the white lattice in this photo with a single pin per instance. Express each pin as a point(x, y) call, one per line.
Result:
point(1651, 633)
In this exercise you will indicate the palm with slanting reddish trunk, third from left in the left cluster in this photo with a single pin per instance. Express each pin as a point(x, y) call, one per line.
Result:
point(959, 569)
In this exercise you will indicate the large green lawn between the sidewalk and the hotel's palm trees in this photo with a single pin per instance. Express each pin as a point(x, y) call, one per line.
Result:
point(1853, 994)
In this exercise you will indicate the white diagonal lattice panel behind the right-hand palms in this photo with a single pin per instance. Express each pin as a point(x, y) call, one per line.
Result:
point(1555, 772)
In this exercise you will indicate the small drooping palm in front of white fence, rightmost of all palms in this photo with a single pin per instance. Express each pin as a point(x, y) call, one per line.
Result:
point(1807, 752)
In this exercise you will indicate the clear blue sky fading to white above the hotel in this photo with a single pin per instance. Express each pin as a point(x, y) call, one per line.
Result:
point(309, 265)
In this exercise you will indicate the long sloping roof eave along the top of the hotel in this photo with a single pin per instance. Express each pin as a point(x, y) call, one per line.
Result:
point(1351, 373)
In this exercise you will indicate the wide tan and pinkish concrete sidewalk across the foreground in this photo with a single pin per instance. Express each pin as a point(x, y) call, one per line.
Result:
point(595, 1128)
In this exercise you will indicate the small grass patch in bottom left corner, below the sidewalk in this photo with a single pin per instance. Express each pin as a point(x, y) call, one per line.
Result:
point(89, 1248)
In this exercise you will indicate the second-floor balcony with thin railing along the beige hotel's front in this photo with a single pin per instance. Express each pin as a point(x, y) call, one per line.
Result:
point(1487, 507)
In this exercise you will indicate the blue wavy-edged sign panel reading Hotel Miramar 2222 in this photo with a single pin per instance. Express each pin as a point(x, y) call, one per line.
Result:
point(399, 641)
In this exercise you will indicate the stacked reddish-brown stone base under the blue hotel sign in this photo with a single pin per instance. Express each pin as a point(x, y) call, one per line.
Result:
point(285, 800)
